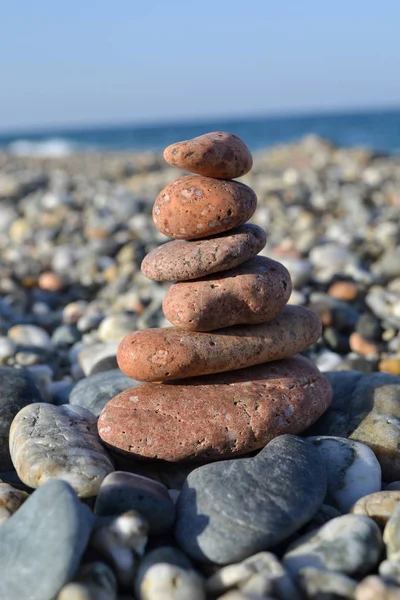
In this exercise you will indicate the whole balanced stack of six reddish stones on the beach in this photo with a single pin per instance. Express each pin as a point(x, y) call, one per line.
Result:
point(224, 380)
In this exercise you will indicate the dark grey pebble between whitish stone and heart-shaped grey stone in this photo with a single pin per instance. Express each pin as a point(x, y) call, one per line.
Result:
point(121, 491)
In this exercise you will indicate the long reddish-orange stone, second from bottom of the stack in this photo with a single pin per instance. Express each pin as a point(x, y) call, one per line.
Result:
point(169, 353)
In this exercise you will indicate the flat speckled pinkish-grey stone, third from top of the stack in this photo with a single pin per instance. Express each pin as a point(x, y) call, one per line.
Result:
point(181, 260)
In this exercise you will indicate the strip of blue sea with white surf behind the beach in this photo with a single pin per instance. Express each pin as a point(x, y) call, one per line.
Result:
point(378, 130)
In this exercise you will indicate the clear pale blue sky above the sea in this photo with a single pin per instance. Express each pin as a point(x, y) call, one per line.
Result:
point(97, 61)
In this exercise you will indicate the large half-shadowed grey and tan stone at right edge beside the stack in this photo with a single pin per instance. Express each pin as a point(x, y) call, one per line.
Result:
point(366, 408)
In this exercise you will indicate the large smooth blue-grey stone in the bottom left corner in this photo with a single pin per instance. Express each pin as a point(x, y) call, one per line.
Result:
point(42, 544)
